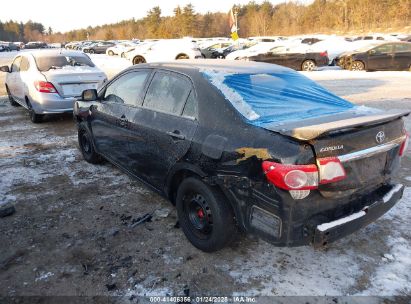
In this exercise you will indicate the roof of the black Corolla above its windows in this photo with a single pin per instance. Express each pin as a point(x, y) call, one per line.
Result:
point(219, 65)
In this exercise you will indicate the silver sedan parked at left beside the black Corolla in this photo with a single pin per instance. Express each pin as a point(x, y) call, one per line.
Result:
point(49, 81)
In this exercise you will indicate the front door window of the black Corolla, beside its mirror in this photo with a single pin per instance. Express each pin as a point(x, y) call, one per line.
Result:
point(127, 89)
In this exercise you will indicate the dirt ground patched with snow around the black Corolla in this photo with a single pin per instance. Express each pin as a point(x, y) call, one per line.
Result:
point(73, 232)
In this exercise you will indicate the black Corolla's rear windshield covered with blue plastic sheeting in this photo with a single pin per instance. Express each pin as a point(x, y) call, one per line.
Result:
point(276, 97)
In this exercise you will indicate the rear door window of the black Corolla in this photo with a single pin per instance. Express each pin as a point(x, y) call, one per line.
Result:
point(167, 92)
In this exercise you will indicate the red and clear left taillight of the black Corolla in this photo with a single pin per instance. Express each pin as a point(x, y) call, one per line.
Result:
point(304, 177)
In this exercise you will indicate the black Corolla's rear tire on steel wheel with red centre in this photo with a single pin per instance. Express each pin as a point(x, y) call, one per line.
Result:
point(204, 214)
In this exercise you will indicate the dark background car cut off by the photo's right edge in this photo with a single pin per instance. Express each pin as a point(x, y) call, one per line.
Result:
point(392, 56)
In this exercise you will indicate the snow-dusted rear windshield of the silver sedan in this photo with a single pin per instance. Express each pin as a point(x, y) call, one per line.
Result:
point(45, 63)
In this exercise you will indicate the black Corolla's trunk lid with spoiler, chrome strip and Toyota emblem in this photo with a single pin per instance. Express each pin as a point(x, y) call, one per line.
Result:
point(367, 146)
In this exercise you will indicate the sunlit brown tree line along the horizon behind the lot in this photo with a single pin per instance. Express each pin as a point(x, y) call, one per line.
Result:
point(254, 19)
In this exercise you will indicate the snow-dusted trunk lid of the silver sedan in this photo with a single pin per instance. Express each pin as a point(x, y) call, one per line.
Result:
point(72, 81)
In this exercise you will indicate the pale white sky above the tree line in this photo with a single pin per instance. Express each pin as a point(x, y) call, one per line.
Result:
point(75, 14)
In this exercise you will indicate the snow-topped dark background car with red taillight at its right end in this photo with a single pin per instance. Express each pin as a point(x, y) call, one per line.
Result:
point(293, 58)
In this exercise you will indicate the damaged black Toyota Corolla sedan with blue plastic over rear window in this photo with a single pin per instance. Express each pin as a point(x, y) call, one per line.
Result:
point(246, 146)
